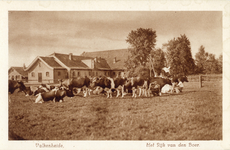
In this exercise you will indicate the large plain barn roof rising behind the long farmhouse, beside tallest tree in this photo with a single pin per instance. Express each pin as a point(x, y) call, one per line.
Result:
point(120, 56)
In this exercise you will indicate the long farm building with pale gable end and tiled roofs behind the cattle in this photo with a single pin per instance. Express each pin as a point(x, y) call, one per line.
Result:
point(52, 68)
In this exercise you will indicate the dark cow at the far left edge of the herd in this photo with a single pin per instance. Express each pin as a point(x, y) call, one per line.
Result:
point(13, 85)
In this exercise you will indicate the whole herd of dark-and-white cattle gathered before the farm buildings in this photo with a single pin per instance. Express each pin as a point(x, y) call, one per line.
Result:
point(121, 86)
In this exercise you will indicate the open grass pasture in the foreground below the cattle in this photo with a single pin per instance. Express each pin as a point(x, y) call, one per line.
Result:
point(194, 114)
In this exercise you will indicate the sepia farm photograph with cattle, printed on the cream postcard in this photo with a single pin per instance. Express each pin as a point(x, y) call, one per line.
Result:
point(150, 76)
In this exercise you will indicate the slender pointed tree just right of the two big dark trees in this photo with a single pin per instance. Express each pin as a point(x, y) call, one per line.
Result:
point(200, 59)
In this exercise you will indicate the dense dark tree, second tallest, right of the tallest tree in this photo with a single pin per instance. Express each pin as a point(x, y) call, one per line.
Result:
point(179, 56)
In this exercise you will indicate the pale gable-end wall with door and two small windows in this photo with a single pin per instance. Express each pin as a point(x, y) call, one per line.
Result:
point(40, 69)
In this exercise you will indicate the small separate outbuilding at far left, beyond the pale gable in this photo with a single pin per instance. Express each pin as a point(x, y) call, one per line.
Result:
point(17, 73)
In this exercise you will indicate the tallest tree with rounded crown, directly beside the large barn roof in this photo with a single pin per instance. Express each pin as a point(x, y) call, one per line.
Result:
point(141, 43)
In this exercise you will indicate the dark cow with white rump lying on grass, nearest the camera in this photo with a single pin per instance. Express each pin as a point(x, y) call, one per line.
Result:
point(55, 95)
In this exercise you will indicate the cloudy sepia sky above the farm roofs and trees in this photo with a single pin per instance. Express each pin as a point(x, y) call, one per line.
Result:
point(41, 33)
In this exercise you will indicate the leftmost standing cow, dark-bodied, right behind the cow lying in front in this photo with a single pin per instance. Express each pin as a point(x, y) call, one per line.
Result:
point(79, 82)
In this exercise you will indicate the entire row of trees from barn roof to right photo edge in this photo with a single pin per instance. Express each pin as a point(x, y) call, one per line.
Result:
point(176, 55)
